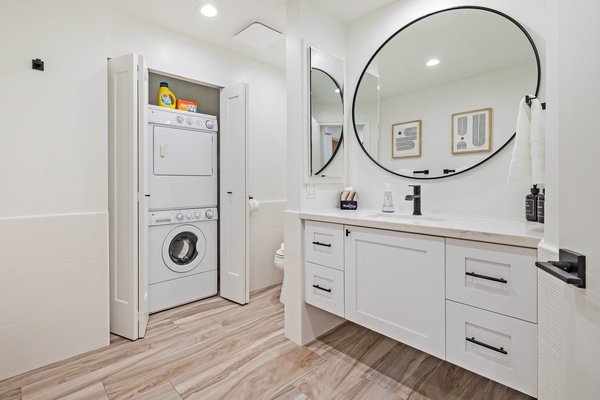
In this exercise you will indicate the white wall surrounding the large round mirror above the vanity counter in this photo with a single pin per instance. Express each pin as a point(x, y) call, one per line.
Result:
point(483, 191)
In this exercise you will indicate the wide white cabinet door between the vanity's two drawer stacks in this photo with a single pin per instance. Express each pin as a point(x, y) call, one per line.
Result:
point(394, 284)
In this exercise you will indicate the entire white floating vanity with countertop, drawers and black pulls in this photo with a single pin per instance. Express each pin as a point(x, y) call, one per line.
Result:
point(468, 296)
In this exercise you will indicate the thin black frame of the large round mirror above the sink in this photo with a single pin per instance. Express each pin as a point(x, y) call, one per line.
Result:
point(537, 87)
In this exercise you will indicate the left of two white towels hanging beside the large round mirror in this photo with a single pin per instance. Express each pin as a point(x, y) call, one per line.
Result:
point(520, 164)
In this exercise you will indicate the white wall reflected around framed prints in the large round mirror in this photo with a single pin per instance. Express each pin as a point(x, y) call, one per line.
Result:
point(434, 106)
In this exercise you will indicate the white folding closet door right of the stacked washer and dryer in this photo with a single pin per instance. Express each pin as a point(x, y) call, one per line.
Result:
point(233, 213)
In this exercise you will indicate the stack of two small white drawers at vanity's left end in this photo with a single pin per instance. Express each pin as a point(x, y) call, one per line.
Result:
point(324, 268)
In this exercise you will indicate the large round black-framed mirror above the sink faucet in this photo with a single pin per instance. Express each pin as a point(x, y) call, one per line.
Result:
point(441, 95)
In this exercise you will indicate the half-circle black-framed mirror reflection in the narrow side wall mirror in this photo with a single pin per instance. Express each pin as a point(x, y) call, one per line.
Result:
point(327, 117)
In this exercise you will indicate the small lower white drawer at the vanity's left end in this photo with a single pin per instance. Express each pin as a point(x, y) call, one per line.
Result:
point(325, 288)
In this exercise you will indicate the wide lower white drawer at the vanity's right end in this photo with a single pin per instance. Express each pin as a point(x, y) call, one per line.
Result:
point(512, 356)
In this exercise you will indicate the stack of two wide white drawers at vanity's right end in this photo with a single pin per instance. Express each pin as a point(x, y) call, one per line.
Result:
point(491, 311)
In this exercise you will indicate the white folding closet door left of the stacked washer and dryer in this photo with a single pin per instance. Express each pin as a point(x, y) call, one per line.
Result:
point(127, 231)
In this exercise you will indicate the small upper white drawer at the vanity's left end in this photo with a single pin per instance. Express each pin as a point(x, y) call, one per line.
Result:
point(324, 244)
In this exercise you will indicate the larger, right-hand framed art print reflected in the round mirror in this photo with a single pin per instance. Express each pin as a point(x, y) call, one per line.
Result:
point(472, 131)
